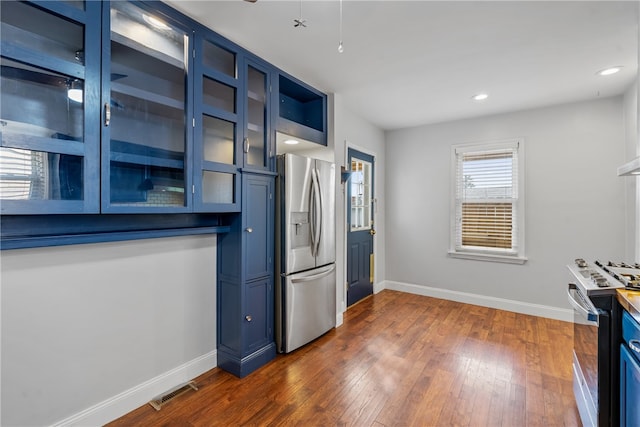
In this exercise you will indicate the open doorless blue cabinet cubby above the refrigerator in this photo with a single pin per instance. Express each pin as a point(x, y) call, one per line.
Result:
point(301, 110)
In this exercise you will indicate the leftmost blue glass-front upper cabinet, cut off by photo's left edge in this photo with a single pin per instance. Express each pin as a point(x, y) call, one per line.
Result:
point(49, 135)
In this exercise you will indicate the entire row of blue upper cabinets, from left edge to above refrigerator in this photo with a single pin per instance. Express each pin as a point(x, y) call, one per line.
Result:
point(129, 107)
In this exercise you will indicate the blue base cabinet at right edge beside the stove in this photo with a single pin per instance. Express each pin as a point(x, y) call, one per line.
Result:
point(630, 372)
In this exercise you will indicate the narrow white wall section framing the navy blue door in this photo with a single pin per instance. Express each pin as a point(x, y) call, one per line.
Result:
point(351, 130)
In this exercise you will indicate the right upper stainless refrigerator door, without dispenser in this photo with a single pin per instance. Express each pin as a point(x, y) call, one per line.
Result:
point(326, 237)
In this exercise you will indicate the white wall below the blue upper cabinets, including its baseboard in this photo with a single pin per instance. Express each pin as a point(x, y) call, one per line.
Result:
point(119, 322)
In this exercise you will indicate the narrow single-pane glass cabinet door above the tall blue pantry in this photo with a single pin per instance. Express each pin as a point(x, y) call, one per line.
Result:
point(256, 143)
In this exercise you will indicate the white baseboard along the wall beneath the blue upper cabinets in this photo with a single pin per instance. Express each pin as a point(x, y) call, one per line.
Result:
point(139, 395)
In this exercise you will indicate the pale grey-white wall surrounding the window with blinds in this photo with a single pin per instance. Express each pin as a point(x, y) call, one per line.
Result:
point(574, 201)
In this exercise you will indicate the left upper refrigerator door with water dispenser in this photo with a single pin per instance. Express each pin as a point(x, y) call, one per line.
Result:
point(297, 179)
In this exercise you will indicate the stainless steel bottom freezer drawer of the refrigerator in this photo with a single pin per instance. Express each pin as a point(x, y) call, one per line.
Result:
point(310, 306)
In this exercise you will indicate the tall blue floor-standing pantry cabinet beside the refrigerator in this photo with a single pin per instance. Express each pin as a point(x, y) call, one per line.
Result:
point(245, 281)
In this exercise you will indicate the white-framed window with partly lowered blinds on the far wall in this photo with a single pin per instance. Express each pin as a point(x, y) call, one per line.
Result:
point(487, 202)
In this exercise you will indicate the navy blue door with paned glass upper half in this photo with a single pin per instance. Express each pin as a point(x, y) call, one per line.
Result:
point(360, 229)
